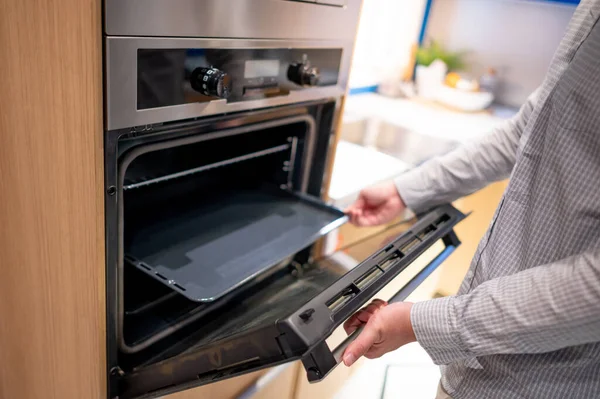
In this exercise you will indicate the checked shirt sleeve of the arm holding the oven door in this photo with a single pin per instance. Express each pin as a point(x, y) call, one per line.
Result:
point(538, 310)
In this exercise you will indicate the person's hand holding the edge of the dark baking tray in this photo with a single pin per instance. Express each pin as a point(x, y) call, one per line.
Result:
point(376, 205)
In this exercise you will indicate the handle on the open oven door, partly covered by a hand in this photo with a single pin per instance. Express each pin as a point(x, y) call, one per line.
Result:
point(321, 361)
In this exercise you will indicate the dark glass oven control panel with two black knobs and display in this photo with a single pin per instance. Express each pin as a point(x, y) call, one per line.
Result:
point(167, 77)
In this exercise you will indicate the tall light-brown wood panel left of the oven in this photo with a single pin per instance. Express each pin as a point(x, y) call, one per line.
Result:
point(52, 338)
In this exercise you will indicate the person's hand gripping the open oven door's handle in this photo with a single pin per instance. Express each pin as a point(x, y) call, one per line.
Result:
point(386, 328)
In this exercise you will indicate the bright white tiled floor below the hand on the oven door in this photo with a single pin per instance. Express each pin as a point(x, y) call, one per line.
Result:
point(406, 373)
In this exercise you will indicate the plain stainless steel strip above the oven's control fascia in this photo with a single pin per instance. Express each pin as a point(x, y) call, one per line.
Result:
point(266, 19)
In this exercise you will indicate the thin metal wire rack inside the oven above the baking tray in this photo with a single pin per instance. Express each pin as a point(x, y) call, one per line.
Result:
point(291, 145)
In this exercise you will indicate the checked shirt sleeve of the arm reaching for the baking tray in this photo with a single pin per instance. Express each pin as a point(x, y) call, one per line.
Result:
point(466, 169)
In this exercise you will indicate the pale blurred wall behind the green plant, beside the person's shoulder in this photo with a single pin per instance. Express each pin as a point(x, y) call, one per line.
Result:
point(517, 37)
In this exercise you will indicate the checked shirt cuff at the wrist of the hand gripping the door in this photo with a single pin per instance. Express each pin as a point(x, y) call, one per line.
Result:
point(436, 328)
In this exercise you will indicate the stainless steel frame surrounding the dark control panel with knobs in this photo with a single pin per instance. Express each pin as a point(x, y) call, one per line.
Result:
point(121, 80)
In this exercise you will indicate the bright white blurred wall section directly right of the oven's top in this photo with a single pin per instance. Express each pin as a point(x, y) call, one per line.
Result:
point(386, 32)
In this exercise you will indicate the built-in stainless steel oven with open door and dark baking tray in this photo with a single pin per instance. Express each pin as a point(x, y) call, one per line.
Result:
point(220, 119)
